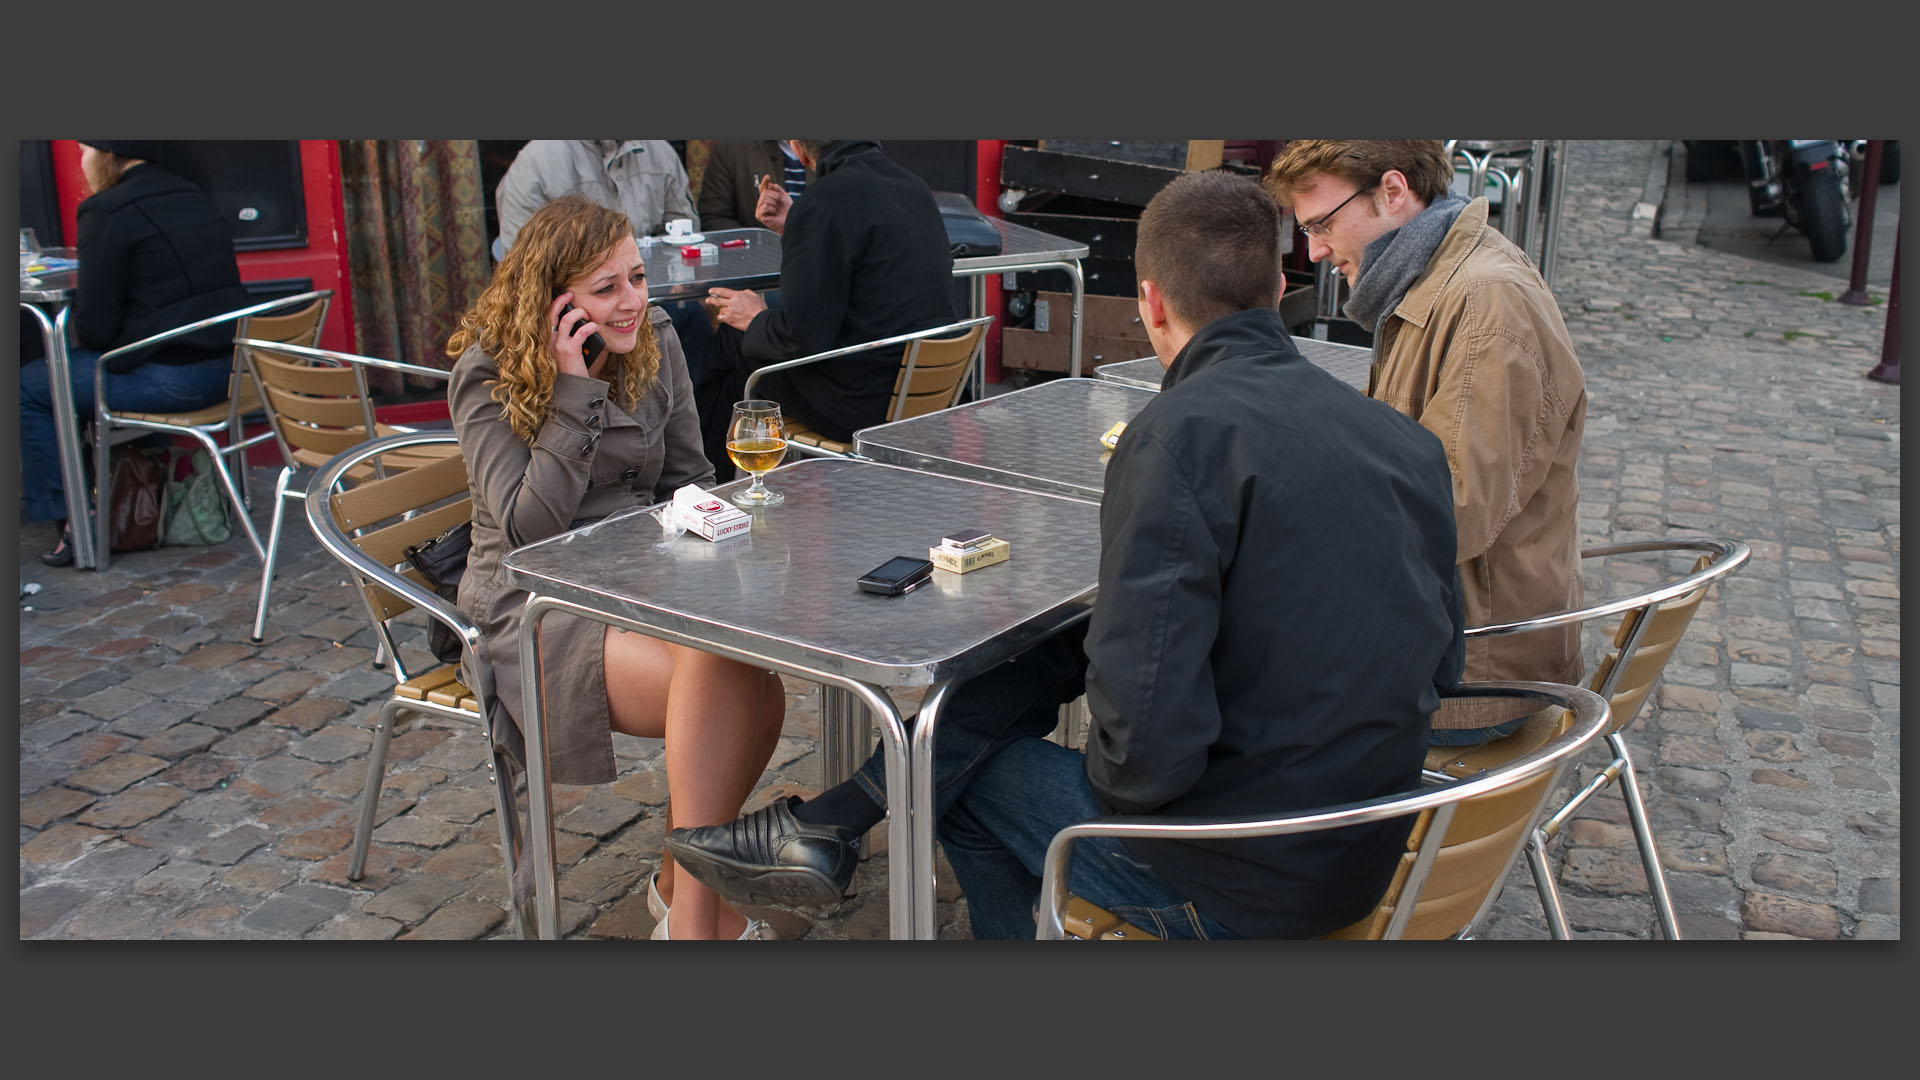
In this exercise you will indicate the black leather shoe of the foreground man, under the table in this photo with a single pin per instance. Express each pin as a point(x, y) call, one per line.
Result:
point(771, 858)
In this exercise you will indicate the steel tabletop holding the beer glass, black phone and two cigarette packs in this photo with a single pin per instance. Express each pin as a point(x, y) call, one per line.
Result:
point(786, 591)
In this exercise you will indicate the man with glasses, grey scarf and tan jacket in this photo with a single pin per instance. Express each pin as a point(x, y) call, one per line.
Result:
point(1470, 343)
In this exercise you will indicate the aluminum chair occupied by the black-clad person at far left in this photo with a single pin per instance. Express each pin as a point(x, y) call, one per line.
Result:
point(289, 320)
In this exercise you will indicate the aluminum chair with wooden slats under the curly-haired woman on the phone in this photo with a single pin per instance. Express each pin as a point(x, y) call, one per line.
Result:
point(370, 528)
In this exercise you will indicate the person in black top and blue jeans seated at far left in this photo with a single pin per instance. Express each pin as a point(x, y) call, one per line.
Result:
point(155, 255)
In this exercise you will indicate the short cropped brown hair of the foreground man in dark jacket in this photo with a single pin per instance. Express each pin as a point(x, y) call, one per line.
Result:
point(1212, 243)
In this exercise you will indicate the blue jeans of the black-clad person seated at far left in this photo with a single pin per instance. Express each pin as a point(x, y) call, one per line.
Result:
point(147, 389)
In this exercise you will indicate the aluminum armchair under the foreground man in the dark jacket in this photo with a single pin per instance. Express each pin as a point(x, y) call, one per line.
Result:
point(1464, 845)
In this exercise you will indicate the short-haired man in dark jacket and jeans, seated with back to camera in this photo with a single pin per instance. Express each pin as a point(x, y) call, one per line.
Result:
point(1278, 614)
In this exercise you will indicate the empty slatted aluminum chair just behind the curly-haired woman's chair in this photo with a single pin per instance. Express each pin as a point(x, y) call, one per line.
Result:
point(318, 406)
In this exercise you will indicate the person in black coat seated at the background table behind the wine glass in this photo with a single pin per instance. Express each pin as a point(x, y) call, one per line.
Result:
point(863, 257)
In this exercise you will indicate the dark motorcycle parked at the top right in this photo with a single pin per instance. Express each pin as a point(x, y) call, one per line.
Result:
point(1804, 180)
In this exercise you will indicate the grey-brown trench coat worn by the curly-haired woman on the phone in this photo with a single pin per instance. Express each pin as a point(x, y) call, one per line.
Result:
point(590, 460)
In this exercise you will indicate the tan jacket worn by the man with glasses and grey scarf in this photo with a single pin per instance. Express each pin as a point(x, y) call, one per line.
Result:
point(1479, 355)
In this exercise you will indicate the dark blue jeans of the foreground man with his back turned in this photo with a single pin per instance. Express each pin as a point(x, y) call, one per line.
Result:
point(1001, 793)
